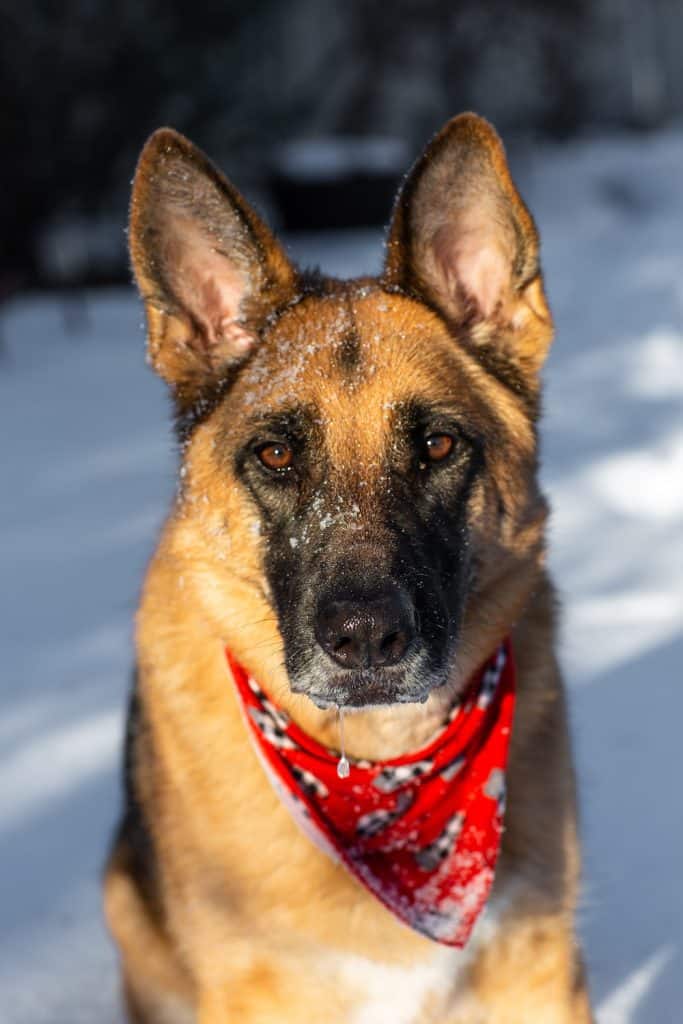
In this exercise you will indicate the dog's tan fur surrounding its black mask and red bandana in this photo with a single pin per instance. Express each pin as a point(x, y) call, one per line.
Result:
point(249, 922)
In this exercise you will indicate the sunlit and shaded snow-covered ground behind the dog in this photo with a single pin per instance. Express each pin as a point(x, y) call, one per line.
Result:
point(88, 463)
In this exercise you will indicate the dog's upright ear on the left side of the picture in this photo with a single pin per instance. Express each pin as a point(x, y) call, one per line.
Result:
point(207, 267)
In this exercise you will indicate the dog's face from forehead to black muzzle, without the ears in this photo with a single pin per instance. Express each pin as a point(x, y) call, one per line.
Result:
point(361, 454)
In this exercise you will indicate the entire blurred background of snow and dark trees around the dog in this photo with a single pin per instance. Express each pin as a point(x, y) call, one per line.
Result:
point(316, 109)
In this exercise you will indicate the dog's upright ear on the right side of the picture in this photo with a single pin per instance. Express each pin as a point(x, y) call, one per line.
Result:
point(462, 238)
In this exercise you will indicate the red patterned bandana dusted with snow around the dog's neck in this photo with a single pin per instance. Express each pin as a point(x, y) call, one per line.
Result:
point(421, 832)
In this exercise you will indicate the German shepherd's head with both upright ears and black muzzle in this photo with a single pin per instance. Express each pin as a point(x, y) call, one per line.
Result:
point(363, 453)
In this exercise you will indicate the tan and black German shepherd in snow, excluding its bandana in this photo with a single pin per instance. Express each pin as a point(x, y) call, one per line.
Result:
point(359, 523)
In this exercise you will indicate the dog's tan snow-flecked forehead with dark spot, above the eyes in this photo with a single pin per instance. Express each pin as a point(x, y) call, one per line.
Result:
point(354, 358)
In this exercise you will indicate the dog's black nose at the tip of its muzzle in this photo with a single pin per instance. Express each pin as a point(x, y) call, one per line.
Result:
point(367, 633)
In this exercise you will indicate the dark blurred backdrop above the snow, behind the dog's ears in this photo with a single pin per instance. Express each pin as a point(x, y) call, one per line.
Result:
point(83, 83)
